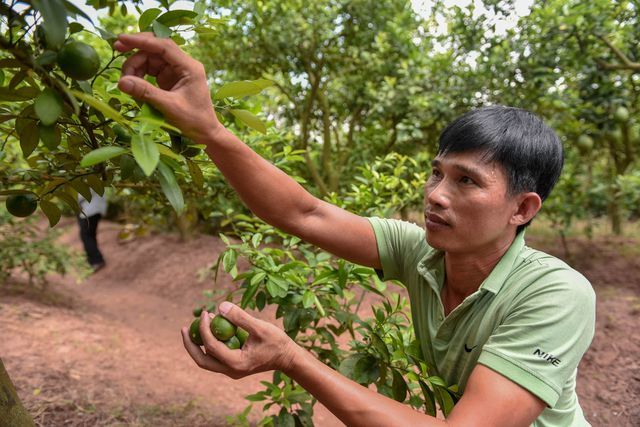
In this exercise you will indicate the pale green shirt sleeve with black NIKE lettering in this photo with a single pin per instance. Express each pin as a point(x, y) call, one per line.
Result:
point(545, 334)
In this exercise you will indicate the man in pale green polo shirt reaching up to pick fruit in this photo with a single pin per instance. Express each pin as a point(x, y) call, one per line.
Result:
point(507, 323)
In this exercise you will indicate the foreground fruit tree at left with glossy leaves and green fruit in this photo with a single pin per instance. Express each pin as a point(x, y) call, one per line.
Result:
point(66, 128)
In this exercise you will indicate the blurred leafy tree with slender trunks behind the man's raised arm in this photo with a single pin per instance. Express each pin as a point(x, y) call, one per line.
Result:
point(350, 77)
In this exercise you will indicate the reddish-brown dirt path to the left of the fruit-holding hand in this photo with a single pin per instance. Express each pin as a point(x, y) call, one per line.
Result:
point(111, 345)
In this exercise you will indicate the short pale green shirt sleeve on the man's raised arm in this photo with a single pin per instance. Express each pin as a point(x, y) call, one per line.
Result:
point(399, 244)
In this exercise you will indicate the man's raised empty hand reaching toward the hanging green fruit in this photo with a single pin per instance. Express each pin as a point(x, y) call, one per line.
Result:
point(182, 94)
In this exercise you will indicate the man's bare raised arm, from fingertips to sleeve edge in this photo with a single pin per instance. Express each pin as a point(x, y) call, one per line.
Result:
point(182, 95)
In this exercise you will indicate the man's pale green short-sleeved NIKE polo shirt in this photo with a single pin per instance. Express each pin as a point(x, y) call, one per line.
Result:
point(531, 320)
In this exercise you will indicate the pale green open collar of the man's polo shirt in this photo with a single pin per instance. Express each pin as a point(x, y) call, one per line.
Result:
point(431, 266)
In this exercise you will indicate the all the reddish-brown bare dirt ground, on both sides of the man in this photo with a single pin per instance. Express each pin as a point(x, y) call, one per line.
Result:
point(108, 351)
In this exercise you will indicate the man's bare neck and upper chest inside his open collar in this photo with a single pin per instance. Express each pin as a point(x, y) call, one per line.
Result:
point(465, 272)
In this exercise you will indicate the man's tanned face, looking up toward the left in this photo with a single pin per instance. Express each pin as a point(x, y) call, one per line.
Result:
point(467, 209)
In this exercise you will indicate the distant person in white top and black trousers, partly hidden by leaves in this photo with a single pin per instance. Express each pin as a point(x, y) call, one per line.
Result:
point(90, 214)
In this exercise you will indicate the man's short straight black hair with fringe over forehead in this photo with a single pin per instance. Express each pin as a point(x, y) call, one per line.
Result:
point(529, 151)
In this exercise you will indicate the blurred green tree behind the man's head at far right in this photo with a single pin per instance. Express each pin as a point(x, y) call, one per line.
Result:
point(575, 63)
